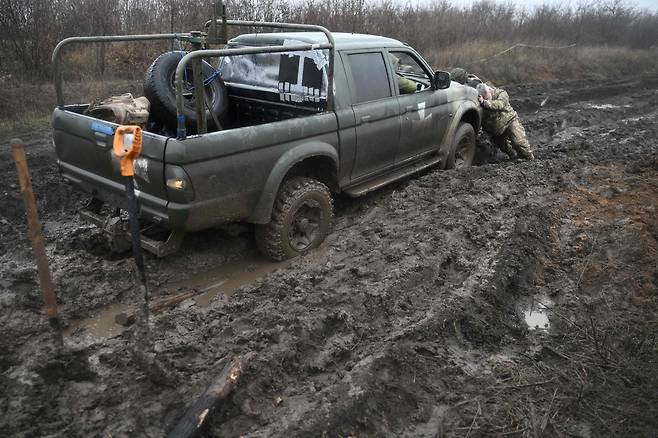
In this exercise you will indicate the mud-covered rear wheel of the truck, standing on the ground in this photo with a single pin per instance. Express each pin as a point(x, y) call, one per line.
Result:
point(301, 219)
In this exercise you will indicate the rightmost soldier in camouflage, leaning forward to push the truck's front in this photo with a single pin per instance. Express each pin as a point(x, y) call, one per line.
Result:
point(501, 122)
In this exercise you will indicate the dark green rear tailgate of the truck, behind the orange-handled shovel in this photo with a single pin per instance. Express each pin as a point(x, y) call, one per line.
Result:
point(84, 150)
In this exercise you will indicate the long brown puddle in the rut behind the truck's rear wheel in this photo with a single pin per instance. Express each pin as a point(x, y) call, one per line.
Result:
point(222, 280)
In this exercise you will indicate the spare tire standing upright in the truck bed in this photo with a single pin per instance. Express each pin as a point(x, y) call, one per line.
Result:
point(160, 90)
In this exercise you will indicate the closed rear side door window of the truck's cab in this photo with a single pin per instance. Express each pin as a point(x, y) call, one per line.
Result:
point(369, 77)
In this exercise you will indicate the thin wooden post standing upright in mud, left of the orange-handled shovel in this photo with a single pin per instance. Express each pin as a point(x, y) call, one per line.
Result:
point(36, 236)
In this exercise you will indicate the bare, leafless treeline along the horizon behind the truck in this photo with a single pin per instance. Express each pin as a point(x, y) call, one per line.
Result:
point(29, 29)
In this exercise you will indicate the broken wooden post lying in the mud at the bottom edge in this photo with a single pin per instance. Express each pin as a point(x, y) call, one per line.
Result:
point(196, 415)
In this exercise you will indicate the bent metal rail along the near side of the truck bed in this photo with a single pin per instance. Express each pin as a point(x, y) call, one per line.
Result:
point(180, 69)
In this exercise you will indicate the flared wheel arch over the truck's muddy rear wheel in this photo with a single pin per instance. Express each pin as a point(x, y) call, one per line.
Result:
point(315, 160)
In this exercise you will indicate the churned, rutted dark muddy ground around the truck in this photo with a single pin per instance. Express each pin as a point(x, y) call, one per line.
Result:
point(511, 299)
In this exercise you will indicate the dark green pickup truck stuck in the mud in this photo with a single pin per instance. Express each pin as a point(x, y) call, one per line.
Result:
point(310, 114)
